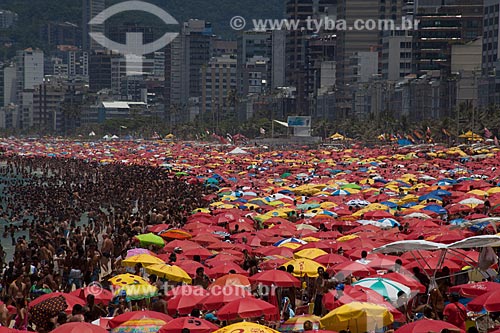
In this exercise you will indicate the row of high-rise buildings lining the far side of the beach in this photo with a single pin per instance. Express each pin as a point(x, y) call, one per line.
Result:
point(233, 70)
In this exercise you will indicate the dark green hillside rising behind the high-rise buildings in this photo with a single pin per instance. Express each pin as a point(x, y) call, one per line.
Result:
point(34, 13)
